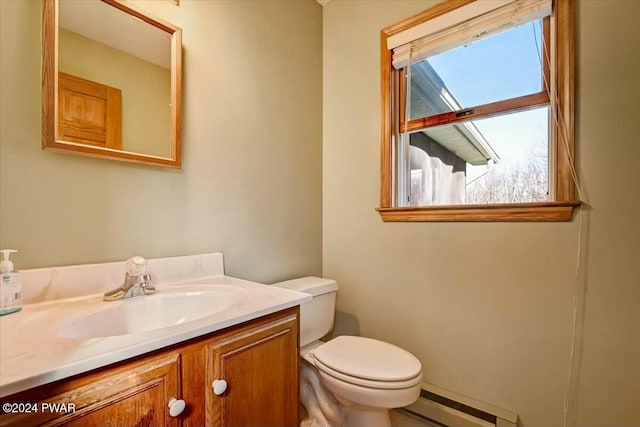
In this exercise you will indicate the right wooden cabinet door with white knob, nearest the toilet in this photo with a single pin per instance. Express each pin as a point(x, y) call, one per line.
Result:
point(260, 366)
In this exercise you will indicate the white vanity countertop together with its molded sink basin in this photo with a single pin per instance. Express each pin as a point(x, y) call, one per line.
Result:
point(66, 335)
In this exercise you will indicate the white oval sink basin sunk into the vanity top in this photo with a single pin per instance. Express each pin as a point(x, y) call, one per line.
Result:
point(168, 307)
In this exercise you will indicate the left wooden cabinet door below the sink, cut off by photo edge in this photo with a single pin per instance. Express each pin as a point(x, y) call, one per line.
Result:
point(135, 394)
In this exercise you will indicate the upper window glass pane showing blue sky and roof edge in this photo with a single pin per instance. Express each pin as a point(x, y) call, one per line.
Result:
point(503, 66)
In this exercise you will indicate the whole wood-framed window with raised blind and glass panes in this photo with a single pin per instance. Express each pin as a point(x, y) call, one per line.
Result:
point(477, 113)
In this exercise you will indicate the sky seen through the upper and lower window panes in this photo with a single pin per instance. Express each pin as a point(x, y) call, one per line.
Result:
point(502, 66)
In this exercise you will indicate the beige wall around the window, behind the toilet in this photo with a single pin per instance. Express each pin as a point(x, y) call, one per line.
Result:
point(488, 307)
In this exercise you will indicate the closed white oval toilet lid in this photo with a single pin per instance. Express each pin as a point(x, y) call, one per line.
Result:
point(368, 359)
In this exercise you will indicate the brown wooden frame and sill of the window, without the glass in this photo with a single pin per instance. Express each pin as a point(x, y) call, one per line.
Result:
point(562, 200)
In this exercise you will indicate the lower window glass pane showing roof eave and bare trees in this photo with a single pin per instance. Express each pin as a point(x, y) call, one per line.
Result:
point(502, 159)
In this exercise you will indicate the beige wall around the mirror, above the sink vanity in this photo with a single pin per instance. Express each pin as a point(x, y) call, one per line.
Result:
point(250, 185)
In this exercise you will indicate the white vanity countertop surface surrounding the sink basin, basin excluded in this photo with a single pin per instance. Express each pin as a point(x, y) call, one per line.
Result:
point(31, 354)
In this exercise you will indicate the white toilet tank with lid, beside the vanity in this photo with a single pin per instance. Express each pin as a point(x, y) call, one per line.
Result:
point(316, 316)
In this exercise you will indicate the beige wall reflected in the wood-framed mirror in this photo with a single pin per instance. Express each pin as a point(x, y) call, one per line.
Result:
point(146, 89)
